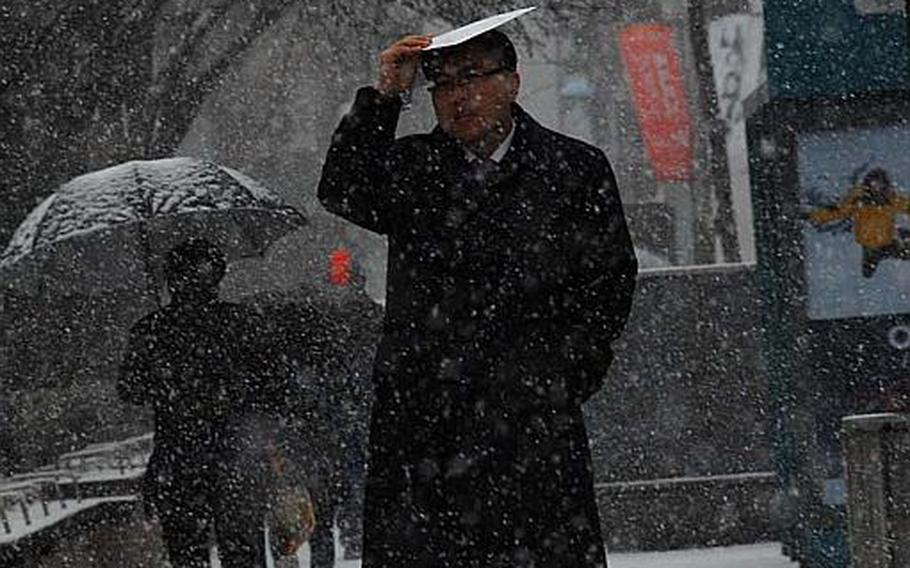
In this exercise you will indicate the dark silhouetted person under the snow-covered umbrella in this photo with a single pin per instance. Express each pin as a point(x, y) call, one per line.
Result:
point(208, 372)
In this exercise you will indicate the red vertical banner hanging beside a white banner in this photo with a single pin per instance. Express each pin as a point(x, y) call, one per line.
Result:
point(652, 66)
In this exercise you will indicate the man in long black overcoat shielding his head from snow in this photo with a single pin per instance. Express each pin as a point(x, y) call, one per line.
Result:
point(510, 273)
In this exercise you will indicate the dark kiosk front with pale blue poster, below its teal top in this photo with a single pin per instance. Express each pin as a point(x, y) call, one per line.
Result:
point(829, 182)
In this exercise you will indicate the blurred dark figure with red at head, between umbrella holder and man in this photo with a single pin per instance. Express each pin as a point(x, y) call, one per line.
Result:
point(329, 334)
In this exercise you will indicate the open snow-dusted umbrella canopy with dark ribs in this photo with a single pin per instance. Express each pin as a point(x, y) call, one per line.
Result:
point(110, 228)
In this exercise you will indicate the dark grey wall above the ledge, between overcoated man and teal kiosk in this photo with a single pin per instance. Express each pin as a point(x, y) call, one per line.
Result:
point(686, 394)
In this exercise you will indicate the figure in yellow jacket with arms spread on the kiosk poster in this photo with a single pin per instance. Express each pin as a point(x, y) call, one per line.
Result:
point(873, 207)
